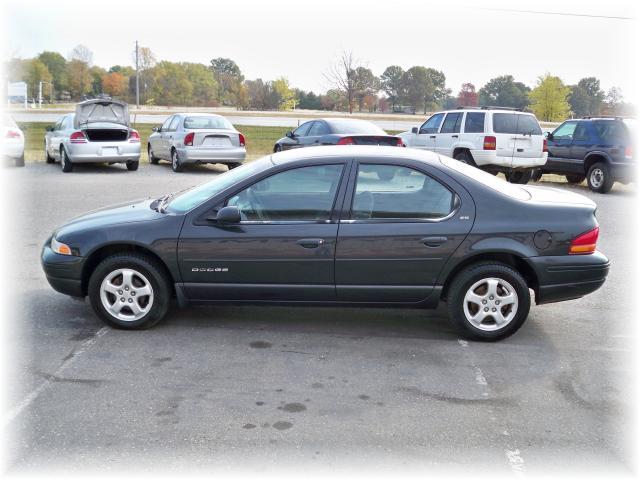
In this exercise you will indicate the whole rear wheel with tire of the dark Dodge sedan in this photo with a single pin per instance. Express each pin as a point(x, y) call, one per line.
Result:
point(488, 301)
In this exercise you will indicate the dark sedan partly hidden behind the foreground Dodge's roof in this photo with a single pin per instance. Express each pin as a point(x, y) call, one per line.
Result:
point(336, 131)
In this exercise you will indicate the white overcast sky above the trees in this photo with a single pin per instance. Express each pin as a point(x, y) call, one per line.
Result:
point(470, 41)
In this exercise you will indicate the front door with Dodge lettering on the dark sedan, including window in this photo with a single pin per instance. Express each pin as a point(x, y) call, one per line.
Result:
point(284, 246)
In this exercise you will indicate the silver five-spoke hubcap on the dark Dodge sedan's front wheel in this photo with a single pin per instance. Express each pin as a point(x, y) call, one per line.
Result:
point(126, 294)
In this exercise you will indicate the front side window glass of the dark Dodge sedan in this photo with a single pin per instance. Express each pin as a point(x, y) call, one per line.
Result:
point(300, 194)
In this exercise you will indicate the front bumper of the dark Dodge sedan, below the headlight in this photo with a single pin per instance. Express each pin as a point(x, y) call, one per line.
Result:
point(63, 272)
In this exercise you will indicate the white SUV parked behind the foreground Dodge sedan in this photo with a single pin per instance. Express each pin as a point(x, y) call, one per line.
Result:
point(494, 139)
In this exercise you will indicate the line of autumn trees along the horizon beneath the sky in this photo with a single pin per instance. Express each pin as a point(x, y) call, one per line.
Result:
point(352, 87)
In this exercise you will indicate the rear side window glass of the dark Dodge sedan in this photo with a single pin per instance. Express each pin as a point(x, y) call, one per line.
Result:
point(394, 192)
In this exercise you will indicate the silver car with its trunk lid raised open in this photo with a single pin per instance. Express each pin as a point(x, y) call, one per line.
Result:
point(98, 132)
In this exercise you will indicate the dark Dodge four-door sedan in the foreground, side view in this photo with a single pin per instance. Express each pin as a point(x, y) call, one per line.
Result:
point(331, 226)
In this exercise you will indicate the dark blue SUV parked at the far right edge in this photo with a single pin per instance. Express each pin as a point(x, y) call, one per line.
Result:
point(600, 149)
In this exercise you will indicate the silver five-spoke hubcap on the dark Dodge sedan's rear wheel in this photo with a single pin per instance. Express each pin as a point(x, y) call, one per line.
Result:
point(490, 304)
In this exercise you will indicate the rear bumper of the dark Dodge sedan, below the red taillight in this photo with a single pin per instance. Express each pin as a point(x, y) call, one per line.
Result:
point(566, 277)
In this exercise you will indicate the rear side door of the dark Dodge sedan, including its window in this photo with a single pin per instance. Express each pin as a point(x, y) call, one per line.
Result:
point(399, 226)
